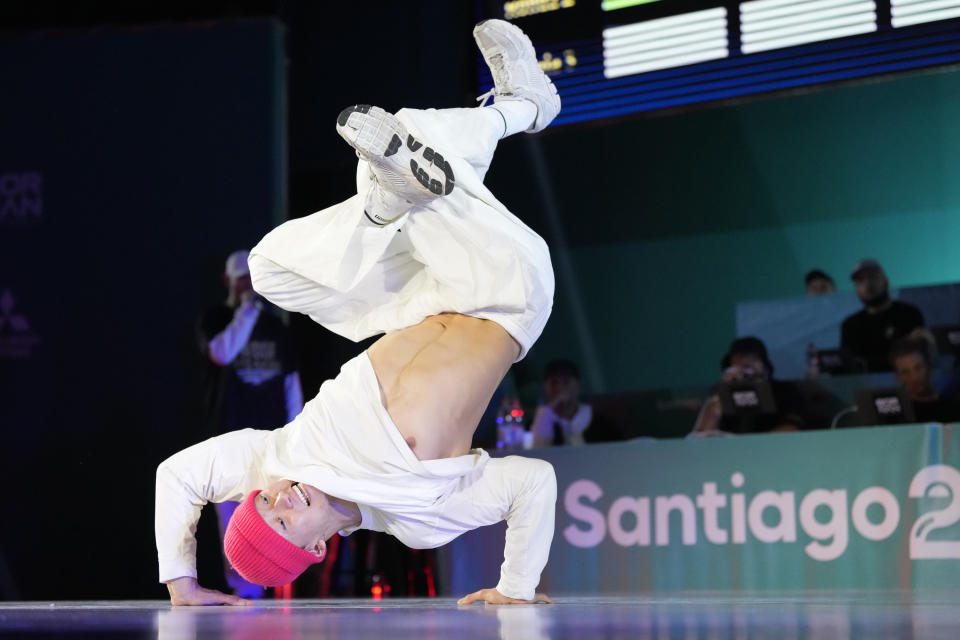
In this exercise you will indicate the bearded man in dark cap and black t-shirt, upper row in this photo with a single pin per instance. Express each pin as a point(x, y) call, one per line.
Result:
point(867, 335)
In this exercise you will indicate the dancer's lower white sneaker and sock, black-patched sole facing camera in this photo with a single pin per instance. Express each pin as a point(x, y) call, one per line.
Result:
point(402, 166)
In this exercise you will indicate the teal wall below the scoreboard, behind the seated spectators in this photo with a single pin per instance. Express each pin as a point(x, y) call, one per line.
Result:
point(672, 220)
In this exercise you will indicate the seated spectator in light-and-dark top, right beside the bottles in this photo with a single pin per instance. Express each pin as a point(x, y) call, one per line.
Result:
point(564, 418)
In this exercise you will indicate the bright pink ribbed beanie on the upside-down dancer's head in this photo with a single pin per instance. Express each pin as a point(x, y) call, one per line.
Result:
point(260, 554)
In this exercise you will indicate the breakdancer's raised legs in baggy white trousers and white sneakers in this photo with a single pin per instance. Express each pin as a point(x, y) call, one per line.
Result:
point(462, 252)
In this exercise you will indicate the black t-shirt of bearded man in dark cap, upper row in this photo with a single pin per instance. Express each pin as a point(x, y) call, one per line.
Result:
point(869, 336)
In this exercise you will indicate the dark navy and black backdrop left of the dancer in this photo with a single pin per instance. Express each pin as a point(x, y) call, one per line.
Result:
point(167, 135)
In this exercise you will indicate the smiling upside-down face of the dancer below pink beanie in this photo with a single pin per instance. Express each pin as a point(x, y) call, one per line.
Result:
point(296, 511)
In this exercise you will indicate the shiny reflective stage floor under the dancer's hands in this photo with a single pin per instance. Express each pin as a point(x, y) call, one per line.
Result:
point(803, 616)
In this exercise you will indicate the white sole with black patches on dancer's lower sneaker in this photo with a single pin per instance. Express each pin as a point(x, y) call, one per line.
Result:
point(379, 138)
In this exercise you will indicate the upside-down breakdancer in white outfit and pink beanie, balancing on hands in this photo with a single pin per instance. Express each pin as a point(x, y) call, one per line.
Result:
point(425, 254)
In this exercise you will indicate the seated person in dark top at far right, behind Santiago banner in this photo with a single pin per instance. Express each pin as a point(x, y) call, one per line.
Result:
point(913, 365)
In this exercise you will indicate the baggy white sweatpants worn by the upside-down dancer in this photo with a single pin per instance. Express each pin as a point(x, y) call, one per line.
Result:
point(462, 253)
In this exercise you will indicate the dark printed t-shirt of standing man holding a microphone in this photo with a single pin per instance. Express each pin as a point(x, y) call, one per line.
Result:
point(248, 392)
